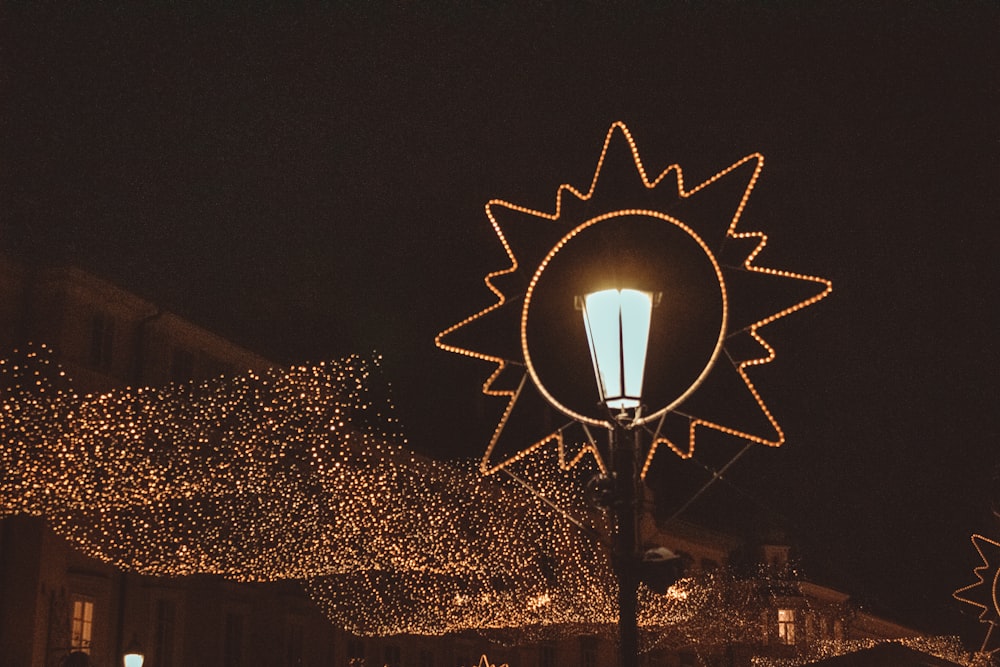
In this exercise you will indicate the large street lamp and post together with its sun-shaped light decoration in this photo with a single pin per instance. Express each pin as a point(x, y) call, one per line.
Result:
point(647, 245)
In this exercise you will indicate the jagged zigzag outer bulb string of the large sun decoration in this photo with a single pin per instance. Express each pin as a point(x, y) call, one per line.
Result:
point(487, 465)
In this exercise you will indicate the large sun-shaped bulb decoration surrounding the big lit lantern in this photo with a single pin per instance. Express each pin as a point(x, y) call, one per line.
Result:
point(684, 243)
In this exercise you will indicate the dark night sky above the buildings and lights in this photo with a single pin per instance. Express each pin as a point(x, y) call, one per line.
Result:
point(311, 182)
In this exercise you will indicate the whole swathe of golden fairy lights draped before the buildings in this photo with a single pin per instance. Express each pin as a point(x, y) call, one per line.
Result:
point(302, 474)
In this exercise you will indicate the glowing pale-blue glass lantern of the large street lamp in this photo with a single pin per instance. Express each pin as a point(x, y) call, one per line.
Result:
point(617, 323)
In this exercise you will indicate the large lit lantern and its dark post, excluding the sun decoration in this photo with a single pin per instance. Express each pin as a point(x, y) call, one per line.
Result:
point(617, 322)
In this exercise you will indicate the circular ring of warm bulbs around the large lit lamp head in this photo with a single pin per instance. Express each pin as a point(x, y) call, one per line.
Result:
point(717, 349)
